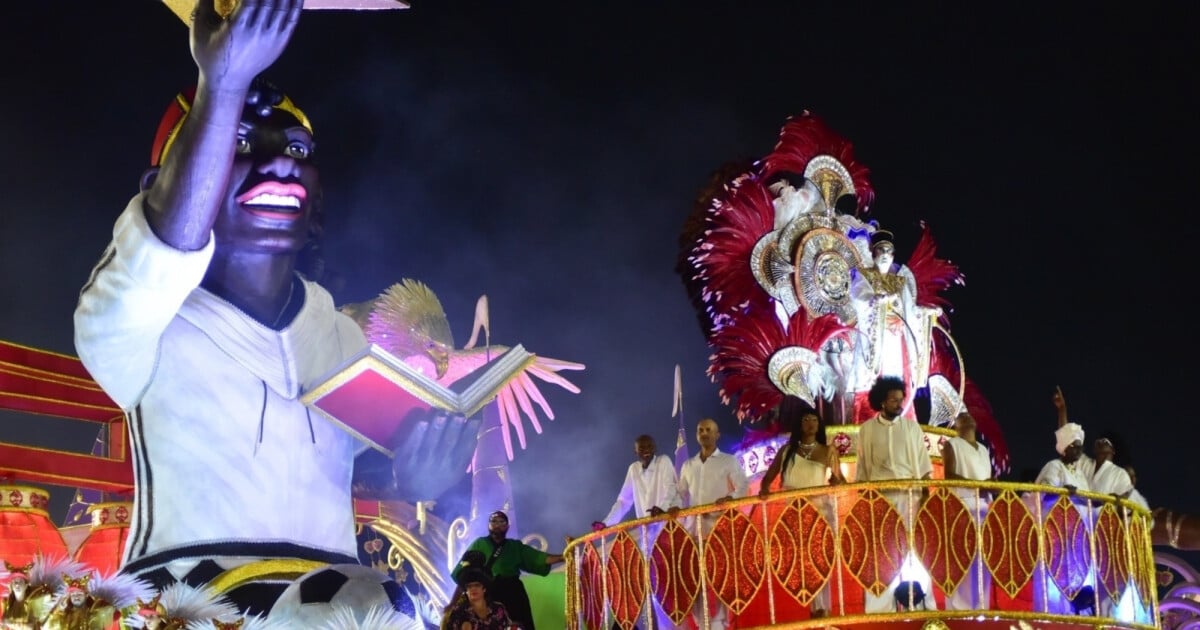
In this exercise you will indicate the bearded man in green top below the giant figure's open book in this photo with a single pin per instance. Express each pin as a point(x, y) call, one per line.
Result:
point(506, 559)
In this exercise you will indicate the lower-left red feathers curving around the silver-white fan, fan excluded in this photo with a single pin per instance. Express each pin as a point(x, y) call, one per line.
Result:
point(743, 347)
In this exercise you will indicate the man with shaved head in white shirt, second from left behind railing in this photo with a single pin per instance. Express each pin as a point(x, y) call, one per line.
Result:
point(711, 477)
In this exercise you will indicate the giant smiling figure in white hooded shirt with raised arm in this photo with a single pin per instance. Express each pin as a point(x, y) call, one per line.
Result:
point(199, 323)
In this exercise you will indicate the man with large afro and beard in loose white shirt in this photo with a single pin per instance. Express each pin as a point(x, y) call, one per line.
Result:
point(891, 447)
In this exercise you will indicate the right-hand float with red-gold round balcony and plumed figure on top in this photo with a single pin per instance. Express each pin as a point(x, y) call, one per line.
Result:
point(800, 297)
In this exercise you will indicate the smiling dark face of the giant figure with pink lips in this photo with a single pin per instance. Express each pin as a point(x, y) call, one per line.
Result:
point(271, 199)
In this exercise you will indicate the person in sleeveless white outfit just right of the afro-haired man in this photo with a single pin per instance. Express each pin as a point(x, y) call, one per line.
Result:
point(964, 458)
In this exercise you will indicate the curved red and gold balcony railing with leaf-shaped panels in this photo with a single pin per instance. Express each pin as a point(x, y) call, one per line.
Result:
point(766, 560)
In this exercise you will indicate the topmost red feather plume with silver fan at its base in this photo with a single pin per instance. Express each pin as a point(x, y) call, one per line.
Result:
point(808, 147)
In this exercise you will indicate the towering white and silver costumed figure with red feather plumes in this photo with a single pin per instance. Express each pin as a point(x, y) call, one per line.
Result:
point(800, 296)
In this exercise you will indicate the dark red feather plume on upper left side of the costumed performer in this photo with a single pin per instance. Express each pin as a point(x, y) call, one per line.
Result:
point(722, 257)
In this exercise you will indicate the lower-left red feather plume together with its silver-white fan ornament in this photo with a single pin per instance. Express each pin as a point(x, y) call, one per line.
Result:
point(757, 363)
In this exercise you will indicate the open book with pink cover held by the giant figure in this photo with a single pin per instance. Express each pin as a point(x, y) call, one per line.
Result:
point(375, 393)
